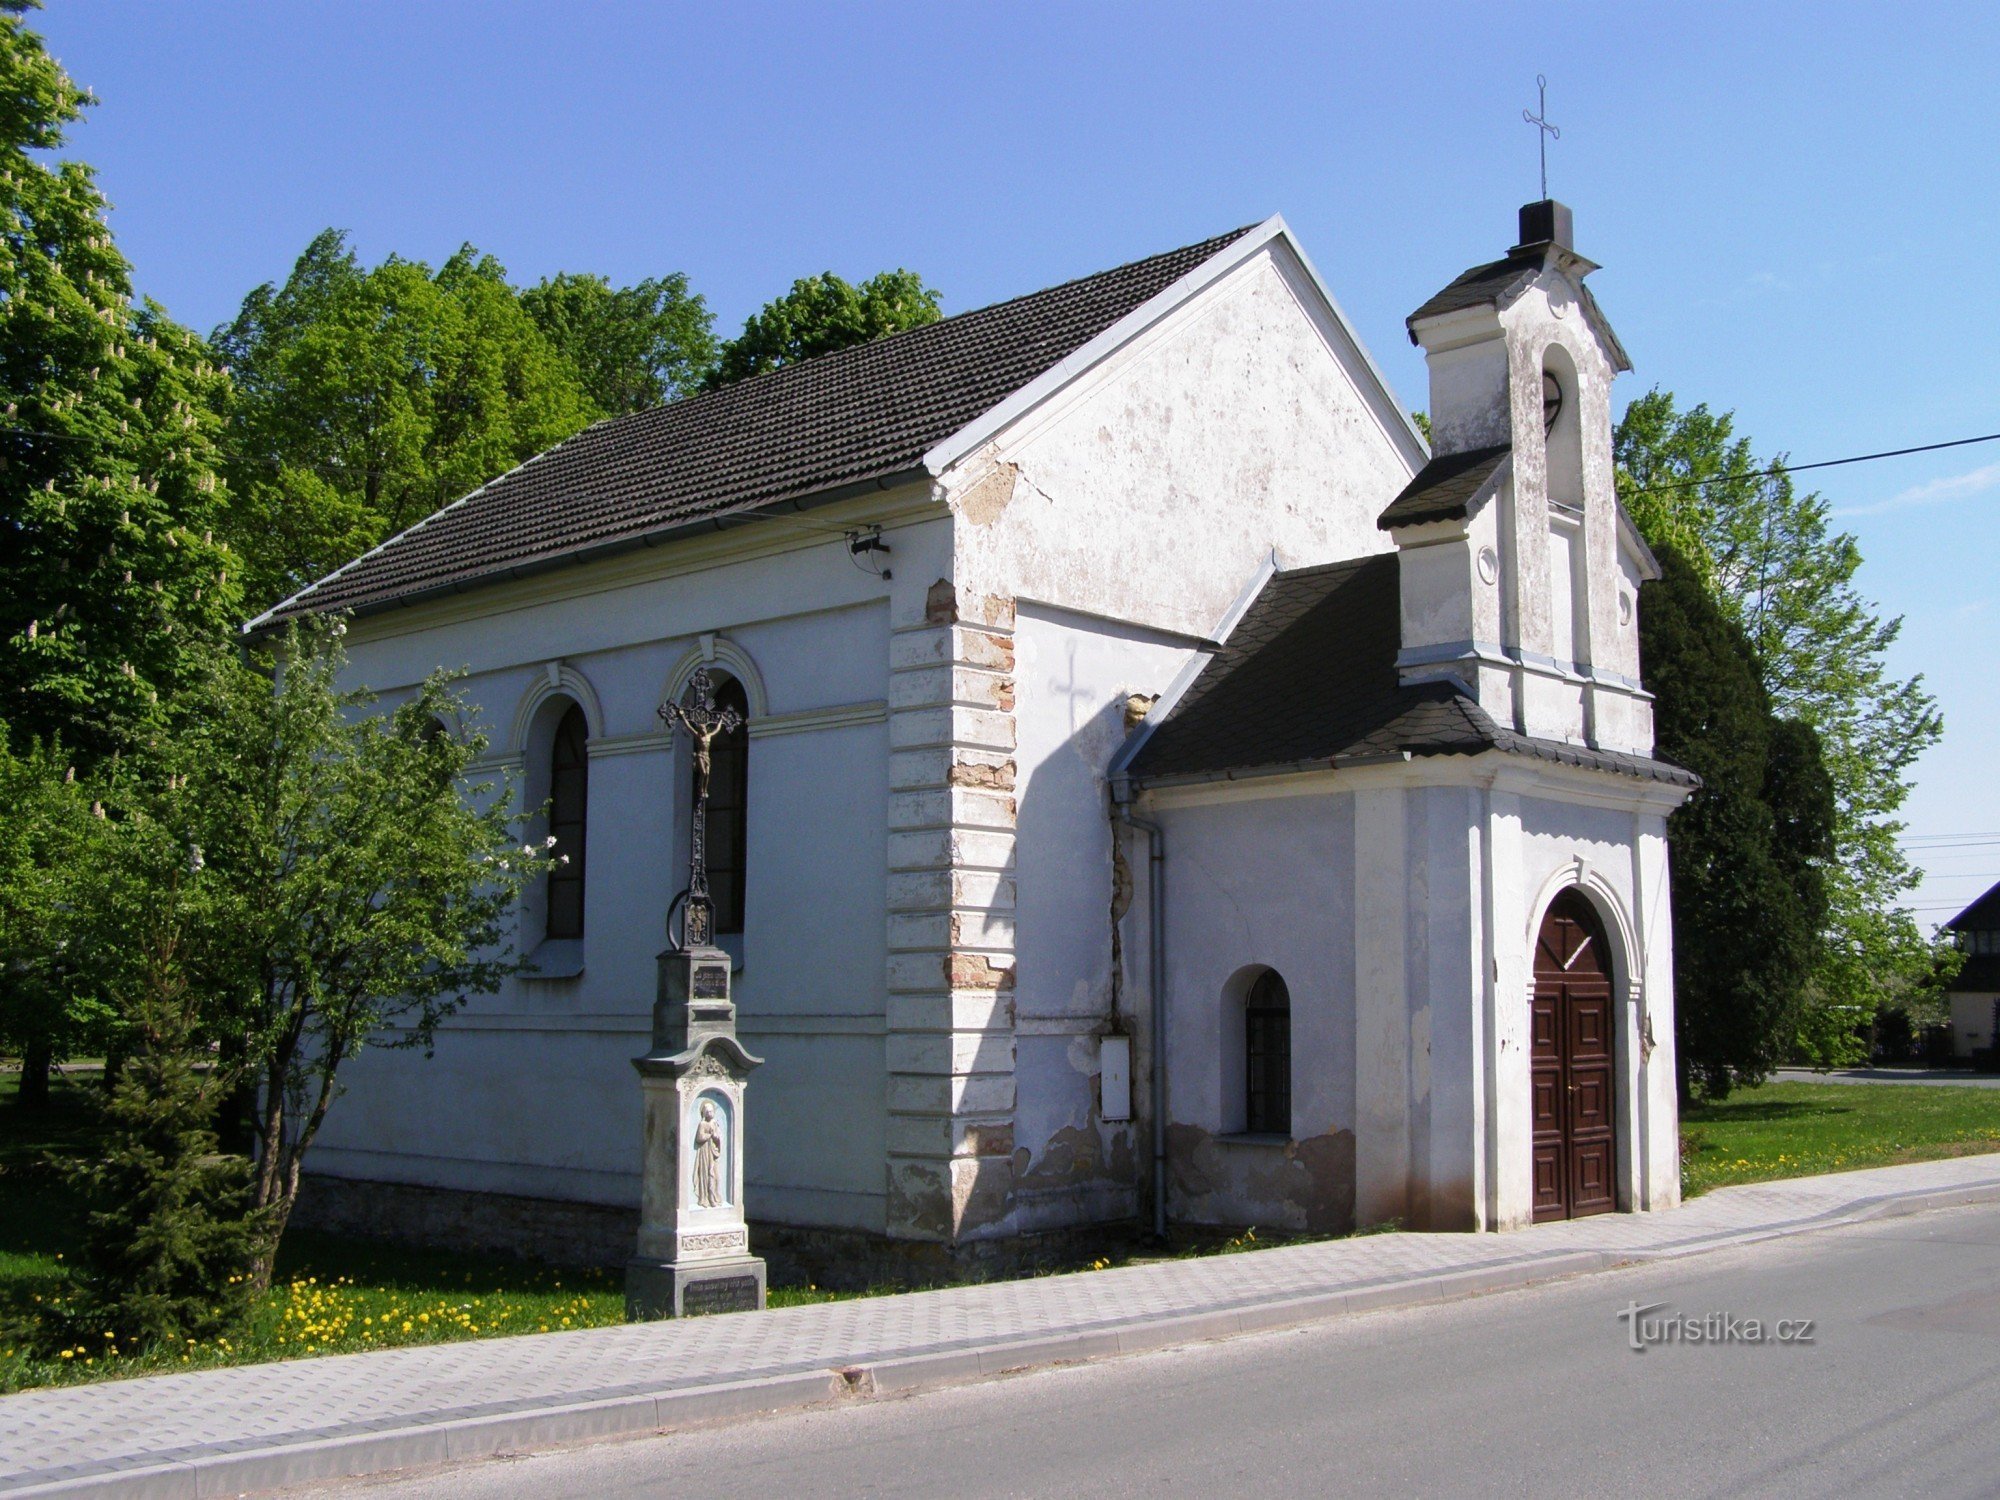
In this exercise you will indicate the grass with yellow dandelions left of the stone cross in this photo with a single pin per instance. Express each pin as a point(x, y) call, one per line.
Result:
point(329, 1297)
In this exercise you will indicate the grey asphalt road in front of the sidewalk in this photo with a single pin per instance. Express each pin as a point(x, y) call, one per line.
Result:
point(1537, 1391)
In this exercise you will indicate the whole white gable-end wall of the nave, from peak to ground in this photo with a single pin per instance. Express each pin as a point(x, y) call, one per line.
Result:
point(1123, 519)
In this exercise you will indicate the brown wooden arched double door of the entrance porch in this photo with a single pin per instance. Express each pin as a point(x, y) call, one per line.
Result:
point(1573, 1065)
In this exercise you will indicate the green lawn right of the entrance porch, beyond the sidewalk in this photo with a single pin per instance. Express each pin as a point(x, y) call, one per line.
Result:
point(1793, 1131)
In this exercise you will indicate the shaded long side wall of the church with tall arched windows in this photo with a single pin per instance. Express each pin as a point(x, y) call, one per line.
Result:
point(531, 1089)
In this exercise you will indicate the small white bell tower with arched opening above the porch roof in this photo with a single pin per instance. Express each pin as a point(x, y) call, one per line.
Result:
point(1519, 569)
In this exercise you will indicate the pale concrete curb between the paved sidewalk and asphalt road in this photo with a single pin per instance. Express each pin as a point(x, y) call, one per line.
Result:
point(453, 1441)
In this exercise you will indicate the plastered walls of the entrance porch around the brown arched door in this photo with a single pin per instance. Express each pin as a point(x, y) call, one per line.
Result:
point(1401, 905)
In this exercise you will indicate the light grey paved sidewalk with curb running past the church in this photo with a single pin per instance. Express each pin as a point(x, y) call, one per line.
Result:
point(259, 1427)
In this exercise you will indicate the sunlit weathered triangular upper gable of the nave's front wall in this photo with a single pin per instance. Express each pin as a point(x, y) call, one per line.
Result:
point(1153, 487)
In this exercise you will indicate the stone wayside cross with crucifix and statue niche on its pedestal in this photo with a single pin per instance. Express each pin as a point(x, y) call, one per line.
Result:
point(693, 1245)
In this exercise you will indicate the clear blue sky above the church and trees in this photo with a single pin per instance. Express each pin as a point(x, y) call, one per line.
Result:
point(1795, 205)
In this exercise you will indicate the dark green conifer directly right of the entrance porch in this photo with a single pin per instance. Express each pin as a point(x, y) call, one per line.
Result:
point(1749, 849)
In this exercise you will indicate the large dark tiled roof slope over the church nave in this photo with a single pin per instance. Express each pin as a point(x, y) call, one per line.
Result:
point(843, 419)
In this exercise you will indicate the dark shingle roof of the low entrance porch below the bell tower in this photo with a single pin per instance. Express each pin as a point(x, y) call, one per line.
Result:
point(1309, 677)
